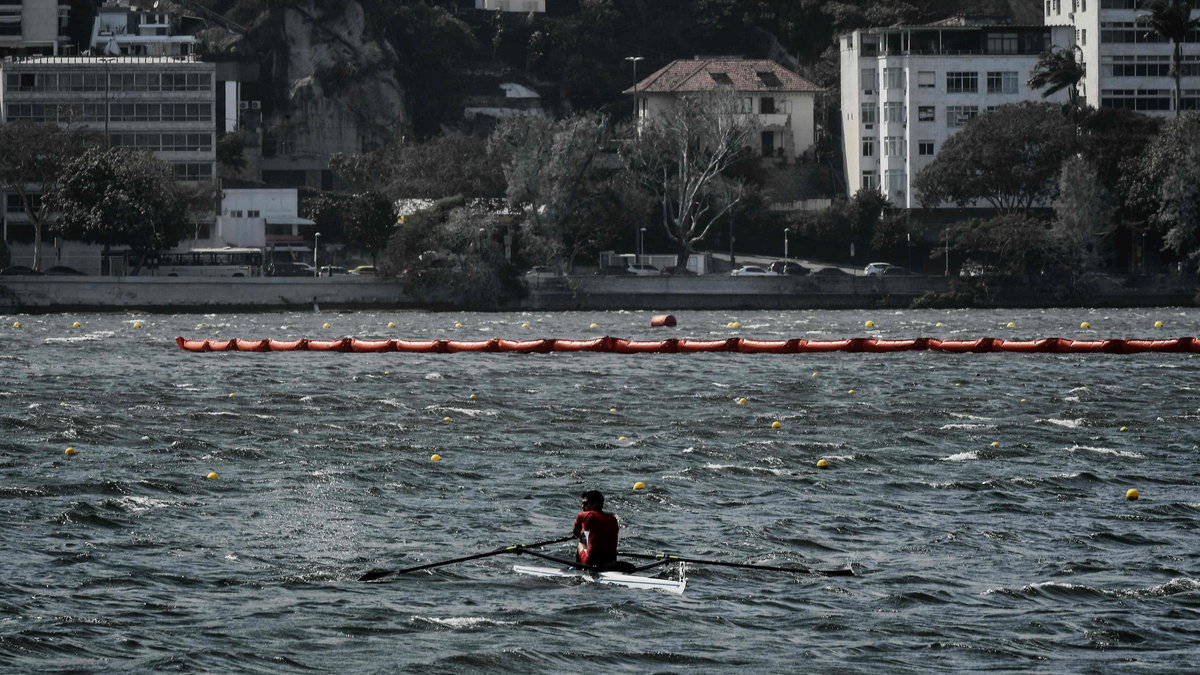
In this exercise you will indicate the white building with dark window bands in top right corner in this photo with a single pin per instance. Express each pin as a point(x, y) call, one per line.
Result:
point(1126, 65)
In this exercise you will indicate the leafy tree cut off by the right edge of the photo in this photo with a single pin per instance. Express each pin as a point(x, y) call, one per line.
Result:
point(1166, 184)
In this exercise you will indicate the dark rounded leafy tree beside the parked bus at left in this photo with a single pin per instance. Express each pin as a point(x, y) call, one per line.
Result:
point(122, 198)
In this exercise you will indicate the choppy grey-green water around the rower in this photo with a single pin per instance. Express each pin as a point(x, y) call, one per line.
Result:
point(979, 497)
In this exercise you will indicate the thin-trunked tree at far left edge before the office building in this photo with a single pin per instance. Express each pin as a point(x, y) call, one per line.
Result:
point(33, 159)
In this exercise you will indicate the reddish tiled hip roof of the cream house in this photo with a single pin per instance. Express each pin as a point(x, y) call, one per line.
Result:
point(710, 75)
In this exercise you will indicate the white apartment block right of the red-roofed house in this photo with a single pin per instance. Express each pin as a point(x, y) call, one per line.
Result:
point(907, 89)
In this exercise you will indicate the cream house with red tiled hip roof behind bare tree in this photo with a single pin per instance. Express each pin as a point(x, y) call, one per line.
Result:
point(783, 100)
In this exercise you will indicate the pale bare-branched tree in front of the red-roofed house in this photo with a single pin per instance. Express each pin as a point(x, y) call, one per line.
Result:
point(682, 157)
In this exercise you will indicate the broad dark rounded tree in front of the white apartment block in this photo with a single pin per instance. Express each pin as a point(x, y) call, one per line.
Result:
point(1009, 158)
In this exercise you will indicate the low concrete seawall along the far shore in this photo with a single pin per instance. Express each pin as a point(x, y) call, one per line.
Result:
point(669, 294)
